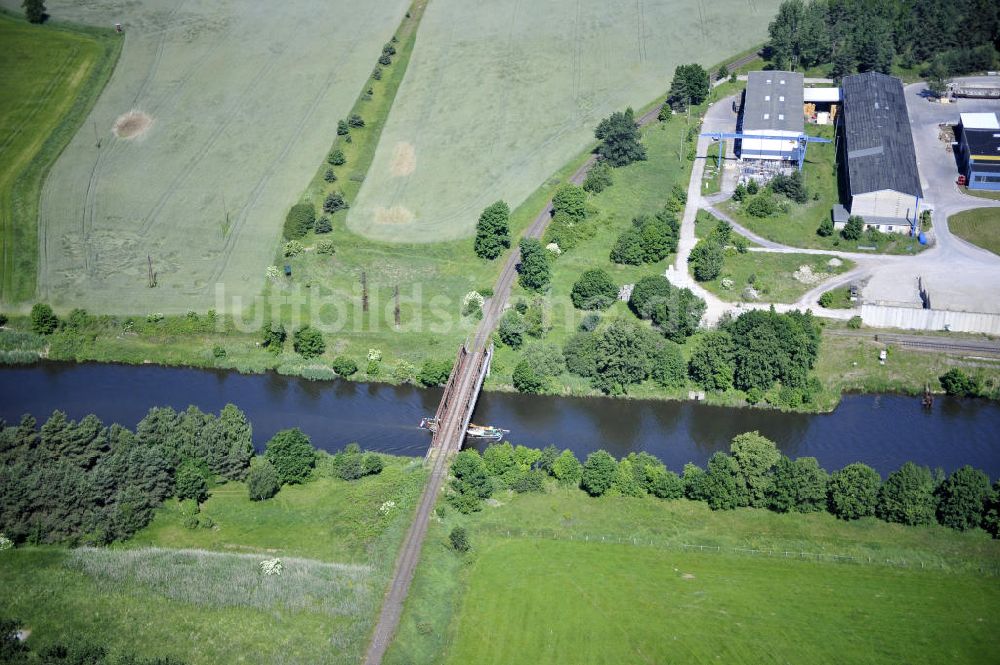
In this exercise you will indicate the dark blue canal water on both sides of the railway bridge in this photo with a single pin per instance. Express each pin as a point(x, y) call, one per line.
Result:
point(881, 430)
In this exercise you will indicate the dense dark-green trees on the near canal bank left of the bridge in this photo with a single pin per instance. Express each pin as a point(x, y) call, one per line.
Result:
point(82, 482)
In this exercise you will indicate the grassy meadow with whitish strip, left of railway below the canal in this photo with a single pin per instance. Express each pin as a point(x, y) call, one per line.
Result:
point(197, 594)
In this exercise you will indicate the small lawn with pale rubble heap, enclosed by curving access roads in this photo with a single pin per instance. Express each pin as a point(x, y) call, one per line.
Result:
point(775, 277)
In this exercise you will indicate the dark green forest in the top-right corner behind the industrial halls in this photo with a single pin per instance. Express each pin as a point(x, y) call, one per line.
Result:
point(857, 35)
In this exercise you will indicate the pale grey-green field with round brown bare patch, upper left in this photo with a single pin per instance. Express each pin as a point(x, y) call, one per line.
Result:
point(234, 109)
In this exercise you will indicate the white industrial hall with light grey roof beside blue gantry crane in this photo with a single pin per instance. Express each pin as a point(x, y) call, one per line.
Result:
point(772, 106)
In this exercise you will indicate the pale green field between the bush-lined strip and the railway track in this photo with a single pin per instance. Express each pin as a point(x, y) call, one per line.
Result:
point(501, 95)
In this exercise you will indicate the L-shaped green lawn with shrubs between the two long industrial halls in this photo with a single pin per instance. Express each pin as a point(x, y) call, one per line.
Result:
point(797, 227)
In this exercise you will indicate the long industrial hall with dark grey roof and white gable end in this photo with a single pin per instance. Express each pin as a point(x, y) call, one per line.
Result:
point(880, 181)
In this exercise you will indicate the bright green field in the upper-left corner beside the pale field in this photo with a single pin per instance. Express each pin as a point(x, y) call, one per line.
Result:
point(50, 76)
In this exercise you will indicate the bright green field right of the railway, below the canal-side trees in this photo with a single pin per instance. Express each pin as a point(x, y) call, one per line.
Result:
point(530, 596)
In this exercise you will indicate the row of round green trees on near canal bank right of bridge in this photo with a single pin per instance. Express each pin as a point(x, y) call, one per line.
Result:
point(754, 474)
